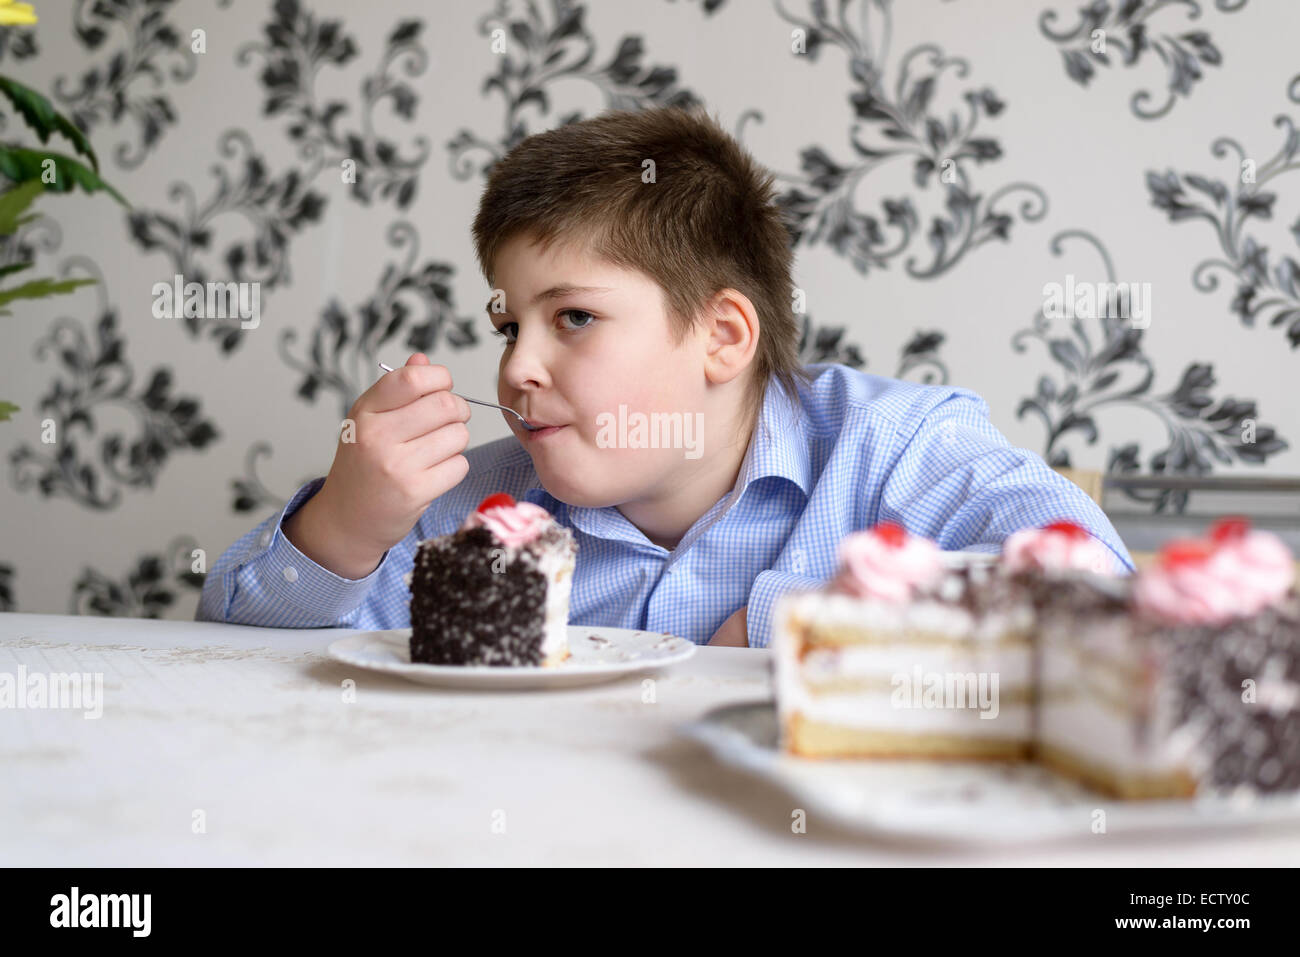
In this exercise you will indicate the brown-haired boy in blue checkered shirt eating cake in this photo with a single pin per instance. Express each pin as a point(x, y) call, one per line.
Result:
point(640, 272)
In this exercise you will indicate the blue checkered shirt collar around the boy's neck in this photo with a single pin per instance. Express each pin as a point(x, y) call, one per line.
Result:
point(778, 449)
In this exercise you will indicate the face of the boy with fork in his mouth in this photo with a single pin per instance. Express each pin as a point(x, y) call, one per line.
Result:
point(574, 356)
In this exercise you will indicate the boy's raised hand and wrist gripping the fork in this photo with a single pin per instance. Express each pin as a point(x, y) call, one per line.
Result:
point(410, 435)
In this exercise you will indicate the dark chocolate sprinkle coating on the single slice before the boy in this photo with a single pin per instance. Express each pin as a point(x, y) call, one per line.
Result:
point(463, 612)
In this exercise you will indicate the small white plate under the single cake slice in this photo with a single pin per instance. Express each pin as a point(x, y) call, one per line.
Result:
point(596, 655)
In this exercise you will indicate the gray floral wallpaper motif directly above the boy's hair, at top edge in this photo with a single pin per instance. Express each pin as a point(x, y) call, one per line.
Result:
point(541, 50)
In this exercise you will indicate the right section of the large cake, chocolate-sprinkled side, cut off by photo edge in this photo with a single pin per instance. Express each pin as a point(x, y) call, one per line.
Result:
point(1185, 681)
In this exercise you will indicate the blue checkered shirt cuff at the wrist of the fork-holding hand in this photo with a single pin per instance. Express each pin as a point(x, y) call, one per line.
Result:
point(289, 577)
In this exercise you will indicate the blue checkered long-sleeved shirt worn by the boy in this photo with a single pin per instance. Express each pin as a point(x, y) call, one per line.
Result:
point(863, 449)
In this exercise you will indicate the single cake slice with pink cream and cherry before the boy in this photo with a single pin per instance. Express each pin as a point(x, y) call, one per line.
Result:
point(495, 592)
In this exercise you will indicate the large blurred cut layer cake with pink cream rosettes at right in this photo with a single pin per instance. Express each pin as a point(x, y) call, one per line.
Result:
point(1184, 679)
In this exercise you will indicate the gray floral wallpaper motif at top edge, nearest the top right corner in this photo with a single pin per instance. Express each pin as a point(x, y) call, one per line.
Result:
point(1126, 31)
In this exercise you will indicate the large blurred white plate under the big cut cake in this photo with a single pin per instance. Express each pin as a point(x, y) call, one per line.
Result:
point(969, 803)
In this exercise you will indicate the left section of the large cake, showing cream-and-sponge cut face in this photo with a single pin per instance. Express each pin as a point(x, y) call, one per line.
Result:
point(907, 653)
